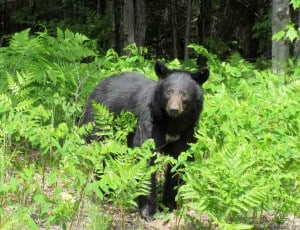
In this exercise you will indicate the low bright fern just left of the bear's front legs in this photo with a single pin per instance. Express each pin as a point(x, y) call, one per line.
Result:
point(127, 175)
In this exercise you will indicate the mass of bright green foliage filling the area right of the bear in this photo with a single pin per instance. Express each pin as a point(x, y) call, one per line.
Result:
point(249, 138)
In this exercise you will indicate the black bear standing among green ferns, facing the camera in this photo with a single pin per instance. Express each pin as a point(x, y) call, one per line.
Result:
point(167, 111)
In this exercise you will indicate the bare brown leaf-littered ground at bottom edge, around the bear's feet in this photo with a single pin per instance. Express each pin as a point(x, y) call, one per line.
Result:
point(132, 221)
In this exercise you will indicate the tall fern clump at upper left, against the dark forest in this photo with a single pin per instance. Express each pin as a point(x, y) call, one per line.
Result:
point(46, 61)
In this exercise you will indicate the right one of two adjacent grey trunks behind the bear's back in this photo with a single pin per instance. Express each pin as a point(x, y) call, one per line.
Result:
point(140, 22)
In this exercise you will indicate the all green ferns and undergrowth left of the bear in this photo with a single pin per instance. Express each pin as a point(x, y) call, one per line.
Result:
point(44, 86)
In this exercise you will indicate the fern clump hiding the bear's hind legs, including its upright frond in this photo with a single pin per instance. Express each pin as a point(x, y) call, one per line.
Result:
point(126, 174)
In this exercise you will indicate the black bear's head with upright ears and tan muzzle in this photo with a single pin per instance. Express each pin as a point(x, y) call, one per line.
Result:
point(179, 92)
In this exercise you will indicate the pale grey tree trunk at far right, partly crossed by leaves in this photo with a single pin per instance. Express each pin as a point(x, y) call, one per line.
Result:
point(280, 49)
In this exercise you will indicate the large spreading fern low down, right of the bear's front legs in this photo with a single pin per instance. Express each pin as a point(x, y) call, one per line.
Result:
point(225, 186)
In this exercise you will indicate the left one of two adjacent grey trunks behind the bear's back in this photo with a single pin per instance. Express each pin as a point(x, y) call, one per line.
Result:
point(127, 24)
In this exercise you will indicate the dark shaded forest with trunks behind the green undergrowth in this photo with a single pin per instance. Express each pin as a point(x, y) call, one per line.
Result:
point(164, 27)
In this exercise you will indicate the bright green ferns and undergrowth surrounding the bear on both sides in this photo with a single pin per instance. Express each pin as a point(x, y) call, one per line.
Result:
point(247, 155)
